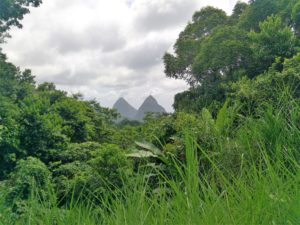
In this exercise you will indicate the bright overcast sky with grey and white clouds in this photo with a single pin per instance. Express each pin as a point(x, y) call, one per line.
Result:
point(105, 49)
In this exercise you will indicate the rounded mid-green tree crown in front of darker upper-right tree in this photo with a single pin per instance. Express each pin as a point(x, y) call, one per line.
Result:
point(225, 51)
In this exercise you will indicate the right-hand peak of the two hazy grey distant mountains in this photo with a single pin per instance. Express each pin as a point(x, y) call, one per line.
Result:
point(149, 105)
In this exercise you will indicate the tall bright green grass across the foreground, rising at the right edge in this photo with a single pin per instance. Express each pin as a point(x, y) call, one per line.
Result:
point(265, 191)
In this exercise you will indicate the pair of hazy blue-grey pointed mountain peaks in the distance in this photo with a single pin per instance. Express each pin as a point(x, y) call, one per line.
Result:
point(129, 112)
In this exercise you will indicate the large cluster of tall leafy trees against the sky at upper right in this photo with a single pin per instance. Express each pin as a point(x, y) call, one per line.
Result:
point(245, 44)
